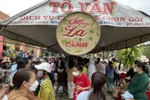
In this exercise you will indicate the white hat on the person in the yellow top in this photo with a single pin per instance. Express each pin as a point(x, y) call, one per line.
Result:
point(44, 66)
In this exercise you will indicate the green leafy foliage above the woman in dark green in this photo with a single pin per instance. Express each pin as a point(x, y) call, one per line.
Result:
point(129, 55)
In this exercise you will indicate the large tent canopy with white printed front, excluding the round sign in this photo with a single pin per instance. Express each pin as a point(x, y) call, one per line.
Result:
point(121, 26)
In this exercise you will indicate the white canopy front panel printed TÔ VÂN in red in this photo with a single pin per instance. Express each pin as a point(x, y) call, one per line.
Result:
point(106, 12)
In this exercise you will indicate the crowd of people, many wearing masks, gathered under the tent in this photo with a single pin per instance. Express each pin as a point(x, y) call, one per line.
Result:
point(31, 78)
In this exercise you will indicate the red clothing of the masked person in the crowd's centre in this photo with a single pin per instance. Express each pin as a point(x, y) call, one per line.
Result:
point(81, 81)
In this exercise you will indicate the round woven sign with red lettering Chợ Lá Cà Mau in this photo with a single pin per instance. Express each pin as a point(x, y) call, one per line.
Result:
point(78, 33)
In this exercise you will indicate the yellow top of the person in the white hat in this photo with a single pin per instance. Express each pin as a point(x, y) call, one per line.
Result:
point(46, 91)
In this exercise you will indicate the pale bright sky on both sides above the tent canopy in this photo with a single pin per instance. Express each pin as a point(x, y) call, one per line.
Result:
point(13, 7)
